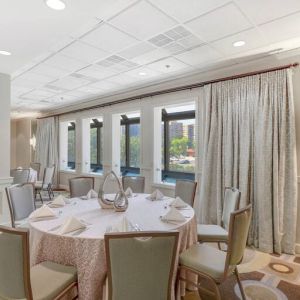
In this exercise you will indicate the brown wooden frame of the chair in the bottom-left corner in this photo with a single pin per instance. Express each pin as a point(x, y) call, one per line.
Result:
point(24, 233)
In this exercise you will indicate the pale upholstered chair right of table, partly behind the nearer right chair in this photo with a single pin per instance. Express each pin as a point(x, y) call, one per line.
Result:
point(215, 233)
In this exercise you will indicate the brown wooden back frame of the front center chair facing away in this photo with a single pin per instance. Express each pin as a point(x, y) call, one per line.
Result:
point(144, 234)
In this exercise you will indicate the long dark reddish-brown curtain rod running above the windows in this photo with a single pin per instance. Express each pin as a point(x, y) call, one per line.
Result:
point(176, 89)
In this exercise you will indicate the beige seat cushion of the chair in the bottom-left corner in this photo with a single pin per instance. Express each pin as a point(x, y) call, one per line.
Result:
point(49, 279)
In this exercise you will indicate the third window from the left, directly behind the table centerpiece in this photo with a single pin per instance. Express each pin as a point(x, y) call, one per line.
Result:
point(130, 144)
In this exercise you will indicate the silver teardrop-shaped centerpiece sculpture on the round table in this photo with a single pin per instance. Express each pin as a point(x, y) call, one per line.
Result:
point(120, 202)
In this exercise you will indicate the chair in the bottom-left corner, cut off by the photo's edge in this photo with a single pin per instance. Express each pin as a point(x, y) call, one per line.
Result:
point(47, 280)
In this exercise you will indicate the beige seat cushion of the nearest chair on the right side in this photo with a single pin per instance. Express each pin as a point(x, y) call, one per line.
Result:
point(204, 259)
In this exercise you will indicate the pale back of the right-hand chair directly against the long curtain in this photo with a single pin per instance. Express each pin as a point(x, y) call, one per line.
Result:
point(231, 203)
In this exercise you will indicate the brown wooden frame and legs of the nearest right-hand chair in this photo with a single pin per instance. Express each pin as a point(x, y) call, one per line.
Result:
point(226, 273)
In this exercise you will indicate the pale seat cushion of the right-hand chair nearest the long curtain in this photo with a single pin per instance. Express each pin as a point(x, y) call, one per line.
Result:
point(211, 233)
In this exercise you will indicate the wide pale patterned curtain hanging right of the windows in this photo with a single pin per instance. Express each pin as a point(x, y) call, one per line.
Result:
point(249, 143)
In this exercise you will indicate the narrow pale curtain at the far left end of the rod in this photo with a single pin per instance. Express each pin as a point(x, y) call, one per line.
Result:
point(47, 144)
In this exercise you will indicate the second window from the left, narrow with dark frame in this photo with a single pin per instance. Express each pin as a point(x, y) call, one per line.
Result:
point(96, 149)
